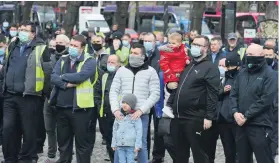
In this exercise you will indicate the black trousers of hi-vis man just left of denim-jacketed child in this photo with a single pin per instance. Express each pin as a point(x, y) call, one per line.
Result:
point(108, 125)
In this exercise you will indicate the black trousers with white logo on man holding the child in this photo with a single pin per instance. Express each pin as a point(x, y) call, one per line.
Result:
point(188, 134)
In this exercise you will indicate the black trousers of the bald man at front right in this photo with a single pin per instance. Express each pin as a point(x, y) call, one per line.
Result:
point(253, 139)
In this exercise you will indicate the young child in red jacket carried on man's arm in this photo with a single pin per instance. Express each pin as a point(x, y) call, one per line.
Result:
point(172, 62)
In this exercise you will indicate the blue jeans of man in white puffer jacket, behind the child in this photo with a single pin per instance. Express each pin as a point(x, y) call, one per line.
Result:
point(143, 154)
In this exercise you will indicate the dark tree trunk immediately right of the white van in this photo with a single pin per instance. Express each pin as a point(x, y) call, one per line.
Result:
point(121, 14)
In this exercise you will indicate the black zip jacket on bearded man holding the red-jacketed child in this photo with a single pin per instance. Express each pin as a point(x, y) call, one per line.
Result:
point(197, 93)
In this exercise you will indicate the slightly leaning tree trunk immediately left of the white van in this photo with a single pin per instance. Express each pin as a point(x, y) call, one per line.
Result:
point(71, 16)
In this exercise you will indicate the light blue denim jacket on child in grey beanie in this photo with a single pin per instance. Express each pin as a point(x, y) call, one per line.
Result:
point(127, 132)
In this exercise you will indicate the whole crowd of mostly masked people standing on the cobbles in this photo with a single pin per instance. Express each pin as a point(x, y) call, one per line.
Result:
point(195, 90)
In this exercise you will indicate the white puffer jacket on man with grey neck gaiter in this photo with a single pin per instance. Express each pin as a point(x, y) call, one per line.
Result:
point(144, 84)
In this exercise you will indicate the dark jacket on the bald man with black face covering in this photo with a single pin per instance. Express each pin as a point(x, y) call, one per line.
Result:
point(253, 94)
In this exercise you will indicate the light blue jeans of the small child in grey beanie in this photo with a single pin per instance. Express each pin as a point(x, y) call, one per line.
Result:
point(125, 154)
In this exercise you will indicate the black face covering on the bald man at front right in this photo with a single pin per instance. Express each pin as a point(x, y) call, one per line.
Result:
point(254, 62)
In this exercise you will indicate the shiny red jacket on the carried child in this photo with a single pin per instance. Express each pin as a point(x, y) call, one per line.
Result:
point(172, 62)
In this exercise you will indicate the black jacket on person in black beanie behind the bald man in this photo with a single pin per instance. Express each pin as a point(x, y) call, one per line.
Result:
point(224, 114)
